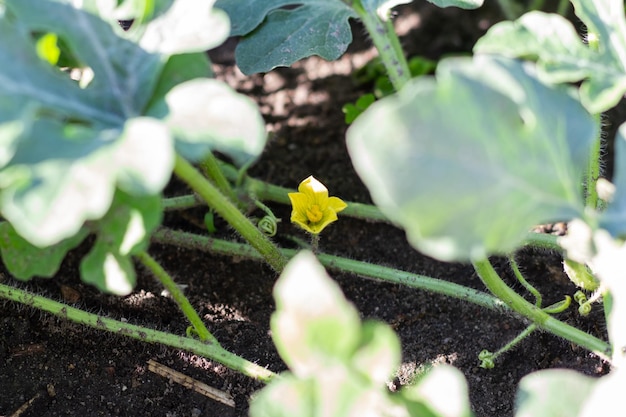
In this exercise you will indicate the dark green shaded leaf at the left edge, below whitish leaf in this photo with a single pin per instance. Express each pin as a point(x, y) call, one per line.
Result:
point(25, 261)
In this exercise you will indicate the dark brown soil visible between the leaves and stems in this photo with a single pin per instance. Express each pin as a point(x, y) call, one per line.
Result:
point(50, 367)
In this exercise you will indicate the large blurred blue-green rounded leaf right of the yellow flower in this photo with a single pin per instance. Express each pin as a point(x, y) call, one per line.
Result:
point(468, 164)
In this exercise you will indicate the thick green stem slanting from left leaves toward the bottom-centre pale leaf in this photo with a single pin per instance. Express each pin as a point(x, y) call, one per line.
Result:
point(230, 213)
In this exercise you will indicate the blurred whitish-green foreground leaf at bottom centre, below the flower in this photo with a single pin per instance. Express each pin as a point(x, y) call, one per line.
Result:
point(338, 366)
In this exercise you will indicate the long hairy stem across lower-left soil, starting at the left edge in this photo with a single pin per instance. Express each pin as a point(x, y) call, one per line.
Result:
point(204, 349)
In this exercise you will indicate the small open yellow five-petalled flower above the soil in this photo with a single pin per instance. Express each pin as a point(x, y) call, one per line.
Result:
point(313, 210)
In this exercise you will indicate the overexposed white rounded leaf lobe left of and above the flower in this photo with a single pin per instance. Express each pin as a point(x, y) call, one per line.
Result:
point(207, 114)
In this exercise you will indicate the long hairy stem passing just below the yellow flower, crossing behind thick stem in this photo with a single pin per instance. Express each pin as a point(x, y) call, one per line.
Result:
point(381, 273)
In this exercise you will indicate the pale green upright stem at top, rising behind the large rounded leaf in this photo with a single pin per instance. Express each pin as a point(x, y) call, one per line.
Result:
point(385, 39)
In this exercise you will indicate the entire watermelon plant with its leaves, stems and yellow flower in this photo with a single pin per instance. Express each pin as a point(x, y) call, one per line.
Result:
point(94, 120)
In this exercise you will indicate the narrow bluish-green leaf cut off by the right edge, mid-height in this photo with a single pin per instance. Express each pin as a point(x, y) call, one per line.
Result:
point(613, 218)
